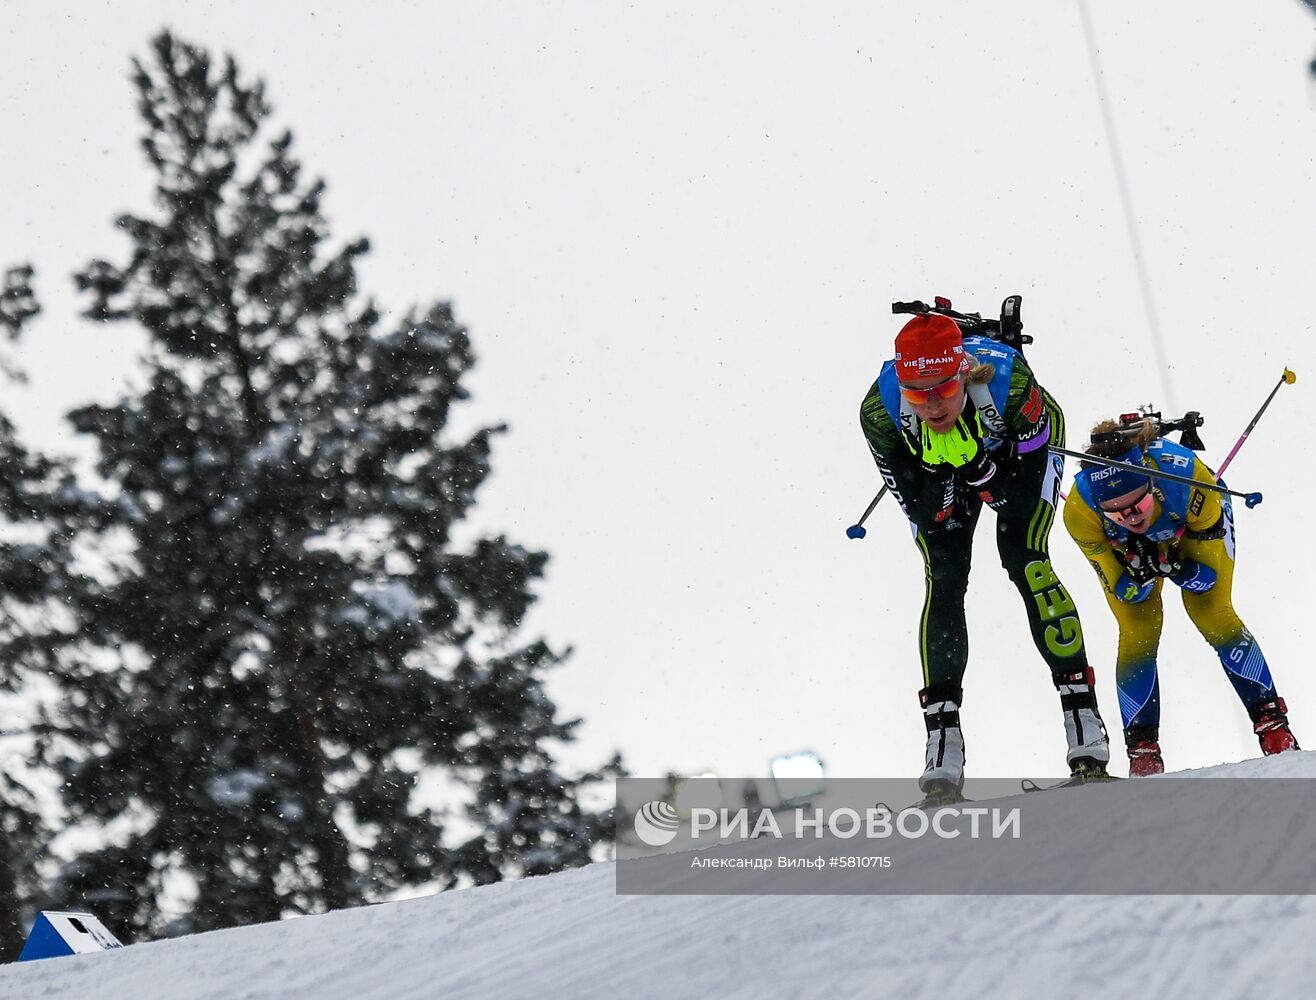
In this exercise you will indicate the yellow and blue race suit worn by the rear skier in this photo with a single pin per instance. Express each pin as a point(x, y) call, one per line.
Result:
point(1194, 528)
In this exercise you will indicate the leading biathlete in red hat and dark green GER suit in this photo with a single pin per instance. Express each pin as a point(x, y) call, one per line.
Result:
point(956, 424)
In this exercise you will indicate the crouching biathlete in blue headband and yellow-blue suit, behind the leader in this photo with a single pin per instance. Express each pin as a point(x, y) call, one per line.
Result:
point(1139, 532)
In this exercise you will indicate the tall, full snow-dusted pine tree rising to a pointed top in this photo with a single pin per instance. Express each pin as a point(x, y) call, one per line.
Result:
point(288, 636)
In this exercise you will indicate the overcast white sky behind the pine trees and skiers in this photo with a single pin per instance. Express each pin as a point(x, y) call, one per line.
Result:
point(676, 232)
